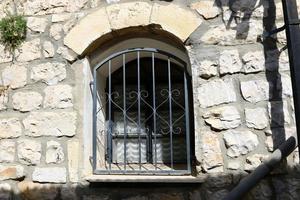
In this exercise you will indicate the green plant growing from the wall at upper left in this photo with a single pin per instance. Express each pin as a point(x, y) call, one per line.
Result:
point(12, 31)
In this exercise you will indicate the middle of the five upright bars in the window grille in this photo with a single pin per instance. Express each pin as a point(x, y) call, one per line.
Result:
point(139, 110)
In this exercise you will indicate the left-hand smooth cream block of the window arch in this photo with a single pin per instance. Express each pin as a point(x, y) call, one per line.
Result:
point(91, 27)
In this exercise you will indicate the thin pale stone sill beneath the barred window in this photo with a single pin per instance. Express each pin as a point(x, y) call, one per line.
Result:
point(144, 179)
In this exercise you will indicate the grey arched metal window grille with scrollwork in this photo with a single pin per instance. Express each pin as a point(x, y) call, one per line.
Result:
point(142, 95)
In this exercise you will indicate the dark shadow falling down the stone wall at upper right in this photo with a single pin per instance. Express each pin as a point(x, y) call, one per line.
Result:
point(239, 20)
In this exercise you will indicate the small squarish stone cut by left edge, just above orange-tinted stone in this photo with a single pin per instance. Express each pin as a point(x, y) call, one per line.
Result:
point(7, 151)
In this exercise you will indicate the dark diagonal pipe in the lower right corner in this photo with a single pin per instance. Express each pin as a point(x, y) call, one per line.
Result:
point(262, 170)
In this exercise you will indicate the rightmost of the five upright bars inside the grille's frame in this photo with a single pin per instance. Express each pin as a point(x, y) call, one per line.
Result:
point(170, 111)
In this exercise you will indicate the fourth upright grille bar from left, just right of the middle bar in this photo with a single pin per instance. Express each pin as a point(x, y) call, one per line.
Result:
point(154, 110)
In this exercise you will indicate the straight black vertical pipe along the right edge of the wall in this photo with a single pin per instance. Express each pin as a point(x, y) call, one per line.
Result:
point(291, 21)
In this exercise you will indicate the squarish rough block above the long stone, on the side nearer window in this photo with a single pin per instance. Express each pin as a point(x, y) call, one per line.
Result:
point(58, 96)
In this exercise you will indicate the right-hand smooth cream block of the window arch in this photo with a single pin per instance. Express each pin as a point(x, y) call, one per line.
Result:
point(181, 23)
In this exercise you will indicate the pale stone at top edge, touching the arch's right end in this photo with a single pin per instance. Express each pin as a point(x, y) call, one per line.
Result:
point(207, 9)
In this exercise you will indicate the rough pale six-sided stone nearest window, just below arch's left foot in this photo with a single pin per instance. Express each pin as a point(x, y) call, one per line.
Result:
point(49, 73)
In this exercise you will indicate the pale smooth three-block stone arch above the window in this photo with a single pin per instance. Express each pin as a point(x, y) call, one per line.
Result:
point(175, 19)
